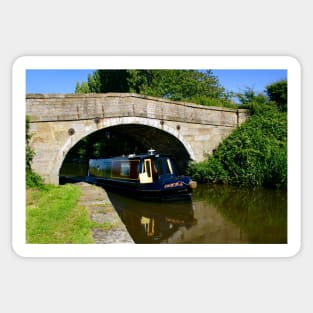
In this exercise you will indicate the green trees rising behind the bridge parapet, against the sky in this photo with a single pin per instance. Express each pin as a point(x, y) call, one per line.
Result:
point(200, 87)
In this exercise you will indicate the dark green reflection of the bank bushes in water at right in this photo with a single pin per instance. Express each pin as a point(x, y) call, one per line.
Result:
point(260, 214)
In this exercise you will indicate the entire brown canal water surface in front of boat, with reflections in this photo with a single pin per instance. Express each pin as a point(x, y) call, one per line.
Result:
point(216, 214)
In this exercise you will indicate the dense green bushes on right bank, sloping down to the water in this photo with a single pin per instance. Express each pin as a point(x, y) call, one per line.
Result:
point(254, 155)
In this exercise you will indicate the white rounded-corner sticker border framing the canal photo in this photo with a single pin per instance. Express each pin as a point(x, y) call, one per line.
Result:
point(156, 62)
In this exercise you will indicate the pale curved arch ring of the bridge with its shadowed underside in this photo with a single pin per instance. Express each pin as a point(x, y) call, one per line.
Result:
point(149, 133)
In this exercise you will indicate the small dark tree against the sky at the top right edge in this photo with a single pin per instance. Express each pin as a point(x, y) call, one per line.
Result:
point(278, 94)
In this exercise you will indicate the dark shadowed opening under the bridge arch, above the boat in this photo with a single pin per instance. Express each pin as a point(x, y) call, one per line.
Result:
point(118, 140)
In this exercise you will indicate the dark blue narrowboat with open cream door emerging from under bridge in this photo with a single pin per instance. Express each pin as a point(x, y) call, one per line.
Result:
point(146, 176)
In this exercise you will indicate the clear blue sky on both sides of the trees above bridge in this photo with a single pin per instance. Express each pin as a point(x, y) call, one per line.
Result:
point(64, 81)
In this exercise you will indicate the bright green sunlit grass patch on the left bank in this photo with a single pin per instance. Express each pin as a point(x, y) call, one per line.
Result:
point(53, 216)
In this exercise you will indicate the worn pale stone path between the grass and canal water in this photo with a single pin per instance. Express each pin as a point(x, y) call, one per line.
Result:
point(101, 211)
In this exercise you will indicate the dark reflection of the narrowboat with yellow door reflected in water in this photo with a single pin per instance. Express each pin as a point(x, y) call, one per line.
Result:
point(152, 222)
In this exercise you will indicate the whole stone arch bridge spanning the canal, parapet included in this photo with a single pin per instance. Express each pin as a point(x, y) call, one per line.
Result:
point(60, 121)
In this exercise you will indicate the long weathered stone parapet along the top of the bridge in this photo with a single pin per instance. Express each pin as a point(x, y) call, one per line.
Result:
point(69, 107)
